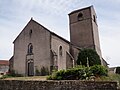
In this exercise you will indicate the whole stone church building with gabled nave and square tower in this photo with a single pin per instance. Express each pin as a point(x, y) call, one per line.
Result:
point(37, 47)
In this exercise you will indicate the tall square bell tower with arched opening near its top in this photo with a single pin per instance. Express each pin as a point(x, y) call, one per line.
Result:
point(84, 29)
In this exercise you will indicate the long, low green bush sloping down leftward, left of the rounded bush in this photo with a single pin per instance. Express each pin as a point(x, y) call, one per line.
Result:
point(77, 73)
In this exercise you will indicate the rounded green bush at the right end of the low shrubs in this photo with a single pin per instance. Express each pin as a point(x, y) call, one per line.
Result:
point(99, 70)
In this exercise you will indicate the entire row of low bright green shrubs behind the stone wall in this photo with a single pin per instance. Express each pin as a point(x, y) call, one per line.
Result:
point(79, 73)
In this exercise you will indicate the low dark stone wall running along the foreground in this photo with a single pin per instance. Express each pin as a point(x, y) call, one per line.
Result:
point(56, 85)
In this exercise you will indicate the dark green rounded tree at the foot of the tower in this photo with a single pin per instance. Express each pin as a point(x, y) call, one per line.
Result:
point(88, 57)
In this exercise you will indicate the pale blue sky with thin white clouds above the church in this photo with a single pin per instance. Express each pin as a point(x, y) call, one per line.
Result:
point(53, 14)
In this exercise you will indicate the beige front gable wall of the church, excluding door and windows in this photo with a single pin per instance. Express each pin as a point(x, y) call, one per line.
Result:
point(40, 40)
